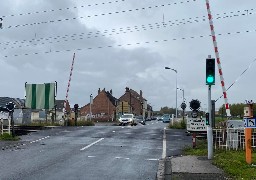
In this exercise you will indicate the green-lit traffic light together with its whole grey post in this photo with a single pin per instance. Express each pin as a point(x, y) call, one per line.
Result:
point(210, 80)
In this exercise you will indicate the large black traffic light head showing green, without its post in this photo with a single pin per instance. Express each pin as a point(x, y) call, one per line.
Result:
point(210, 71)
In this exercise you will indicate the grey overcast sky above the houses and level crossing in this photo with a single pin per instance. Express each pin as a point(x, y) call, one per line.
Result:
point(127, 43)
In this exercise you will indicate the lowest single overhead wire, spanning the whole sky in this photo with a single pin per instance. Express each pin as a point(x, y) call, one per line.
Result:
point(129, 44)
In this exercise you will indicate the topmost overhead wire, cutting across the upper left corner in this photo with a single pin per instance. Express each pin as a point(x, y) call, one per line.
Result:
point(62, 9)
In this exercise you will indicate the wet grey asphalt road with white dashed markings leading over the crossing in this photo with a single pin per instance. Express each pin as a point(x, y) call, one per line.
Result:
point(97, 152)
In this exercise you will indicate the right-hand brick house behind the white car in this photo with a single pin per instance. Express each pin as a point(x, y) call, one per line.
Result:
point(134, 99)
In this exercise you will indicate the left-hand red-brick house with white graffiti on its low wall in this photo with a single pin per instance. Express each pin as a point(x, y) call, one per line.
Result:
point(103, 107)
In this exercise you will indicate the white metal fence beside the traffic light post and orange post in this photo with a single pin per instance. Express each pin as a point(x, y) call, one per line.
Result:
point(231, 138)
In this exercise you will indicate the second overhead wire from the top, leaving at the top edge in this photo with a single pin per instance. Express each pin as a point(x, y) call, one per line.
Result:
point(96, 15)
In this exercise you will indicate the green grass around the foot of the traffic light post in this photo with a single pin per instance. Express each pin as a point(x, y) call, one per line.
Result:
point(232, 162)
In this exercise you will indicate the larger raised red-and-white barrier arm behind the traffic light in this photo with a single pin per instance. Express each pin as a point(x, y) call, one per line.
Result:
point(218, 58)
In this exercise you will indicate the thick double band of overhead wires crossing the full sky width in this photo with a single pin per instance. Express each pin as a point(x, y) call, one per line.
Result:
point(76, 36)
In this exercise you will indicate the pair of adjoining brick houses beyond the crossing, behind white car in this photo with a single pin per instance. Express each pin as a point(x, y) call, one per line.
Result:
point(106, 107)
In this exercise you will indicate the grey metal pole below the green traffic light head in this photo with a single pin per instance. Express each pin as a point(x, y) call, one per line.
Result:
point(209, 128)
